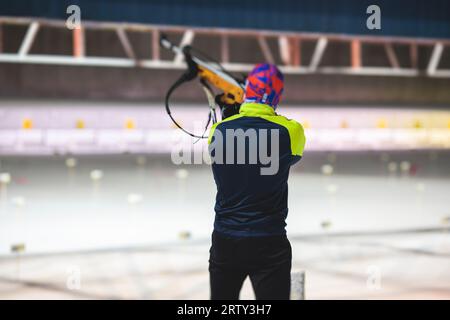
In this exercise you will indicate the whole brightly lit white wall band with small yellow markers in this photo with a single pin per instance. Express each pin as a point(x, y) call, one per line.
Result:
point(94, 128)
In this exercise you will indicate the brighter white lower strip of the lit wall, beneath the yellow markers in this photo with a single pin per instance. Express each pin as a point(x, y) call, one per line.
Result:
point(91, 141)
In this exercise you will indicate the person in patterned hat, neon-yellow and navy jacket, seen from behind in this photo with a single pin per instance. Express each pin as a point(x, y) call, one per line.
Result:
point(251, 156)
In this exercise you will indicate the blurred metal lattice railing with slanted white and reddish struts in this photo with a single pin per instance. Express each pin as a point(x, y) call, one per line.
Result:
point(288, 44)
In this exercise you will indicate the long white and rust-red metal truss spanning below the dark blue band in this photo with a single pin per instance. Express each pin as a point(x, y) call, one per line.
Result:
point(285, 39)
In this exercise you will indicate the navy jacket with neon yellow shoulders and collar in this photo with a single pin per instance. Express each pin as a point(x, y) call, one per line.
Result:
point(249, 203)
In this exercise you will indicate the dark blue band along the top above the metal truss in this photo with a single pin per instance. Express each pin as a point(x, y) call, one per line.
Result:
point(411, 18)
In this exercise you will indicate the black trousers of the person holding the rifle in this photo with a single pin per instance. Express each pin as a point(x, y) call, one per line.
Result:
point(266, 260)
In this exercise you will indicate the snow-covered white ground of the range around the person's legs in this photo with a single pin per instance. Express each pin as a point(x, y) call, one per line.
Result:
point(376, 227)
